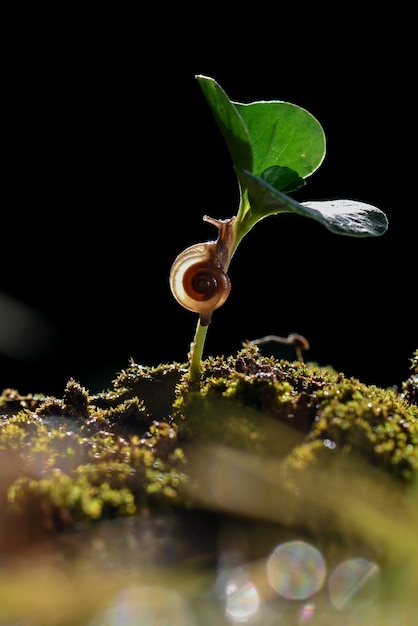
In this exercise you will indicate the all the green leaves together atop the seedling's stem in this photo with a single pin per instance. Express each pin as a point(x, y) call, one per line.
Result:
point(274, 147)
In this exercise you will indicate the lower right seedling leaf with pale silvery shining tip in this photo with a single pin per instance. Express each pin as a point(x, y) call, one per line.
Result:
point(342, 217)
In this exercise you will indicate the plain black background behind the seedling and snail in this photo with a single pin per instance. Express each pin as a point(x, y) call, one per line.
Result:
point(112, 157)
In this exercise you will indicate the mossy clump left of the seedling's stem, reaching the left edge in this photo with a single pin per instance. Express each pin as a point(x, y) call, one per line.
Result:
point(75, 462)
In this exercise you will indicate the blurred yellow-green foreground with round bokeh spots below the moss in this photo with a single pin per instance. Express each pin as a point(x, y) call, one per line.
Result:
point(233, 558)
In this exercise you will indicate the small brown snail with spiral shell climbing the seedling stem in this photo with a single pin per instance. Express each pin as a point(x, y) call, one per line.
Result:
point(198, 276)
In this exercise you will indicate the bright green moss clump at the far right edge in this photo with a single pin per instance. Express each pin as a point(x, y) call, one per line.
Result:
point(374, 424)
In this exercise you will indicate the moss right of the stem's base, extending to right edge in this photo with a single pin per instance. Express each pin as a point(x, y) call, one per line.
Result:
point(333, 414)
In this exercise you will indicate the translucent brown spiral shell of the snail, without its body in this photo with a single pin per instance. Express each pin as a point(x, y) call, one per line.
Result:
point(198, 280)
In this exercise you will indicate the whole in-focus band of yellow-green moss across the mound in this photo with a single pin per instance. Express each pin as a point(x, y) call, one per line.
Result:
point(85, 457)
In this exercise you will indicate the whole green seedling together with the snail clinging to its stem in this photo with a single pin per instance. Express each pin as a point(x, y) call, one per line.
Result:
point(274, 147)
